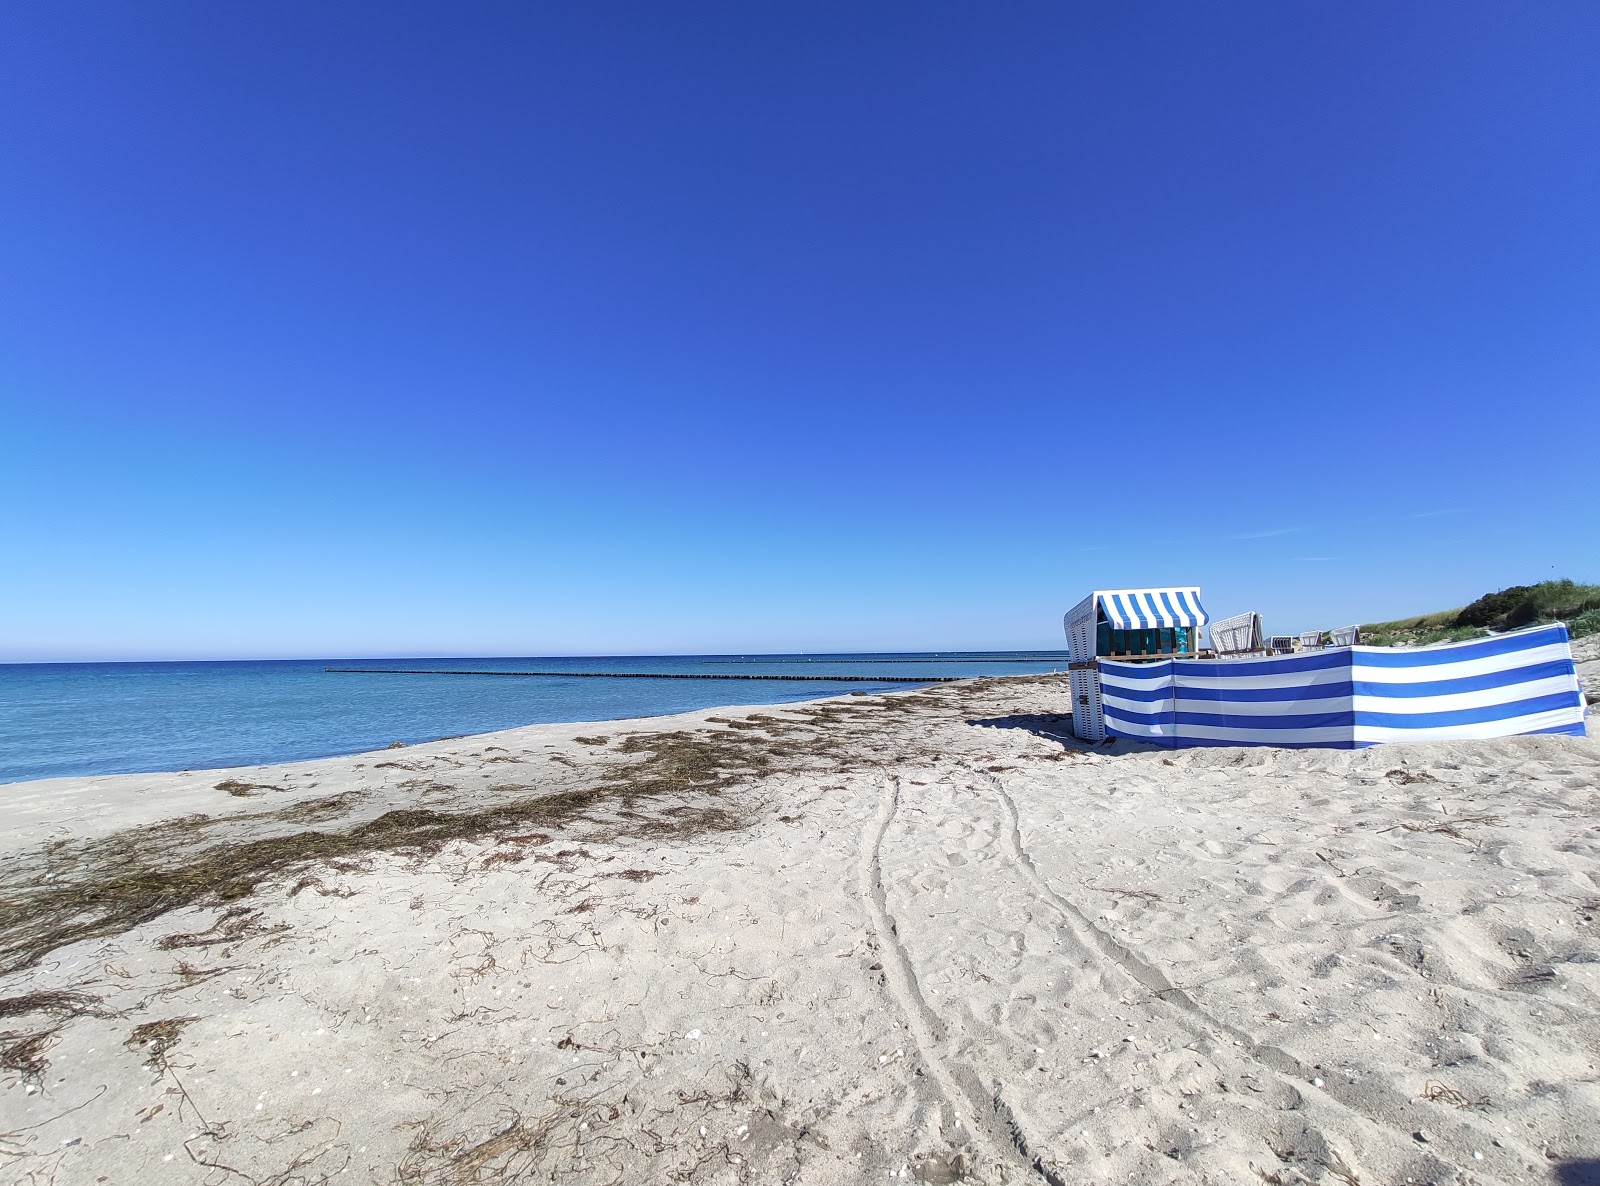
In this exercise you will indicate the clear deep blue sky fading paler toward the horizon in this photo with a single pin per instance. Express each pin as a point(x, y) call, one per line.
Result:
point(634, 329)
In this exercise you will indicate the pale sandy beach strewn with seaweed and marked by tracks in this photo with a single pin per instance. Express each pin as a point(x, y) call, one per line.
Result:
point(918, 937)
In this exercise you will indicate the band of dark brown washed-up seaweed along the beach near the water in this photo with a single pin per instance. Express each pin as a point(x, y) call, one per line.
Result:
point(663, 785)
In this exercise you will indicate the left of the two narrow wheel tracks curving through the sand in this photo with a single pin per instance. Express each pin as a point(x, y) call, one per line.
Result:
point(990, 1120)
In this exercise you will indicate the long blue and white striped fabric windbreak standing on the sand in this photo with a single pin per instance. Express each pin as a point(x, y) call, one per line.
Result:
point(1353, 697)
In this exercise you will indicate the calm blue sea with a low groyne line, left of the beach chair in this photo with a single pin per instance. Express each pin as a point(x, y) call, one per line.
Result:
point(66, 719)
